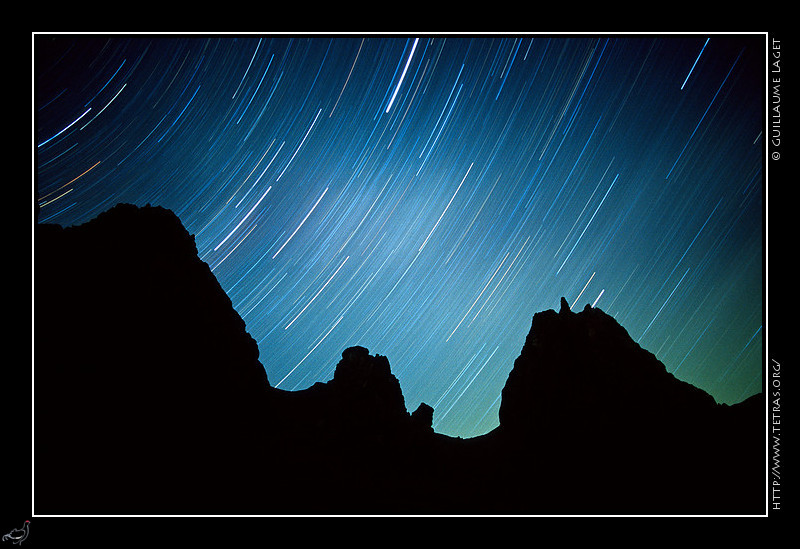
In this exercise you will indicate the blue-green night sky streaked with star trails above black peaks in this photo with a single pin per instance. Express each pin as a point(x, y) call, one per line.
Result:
point(424, 196)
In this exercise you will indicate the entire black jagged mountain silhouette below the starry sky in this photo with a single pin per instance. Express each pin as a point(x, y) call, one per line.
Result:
point(150, 398)
